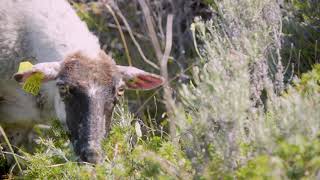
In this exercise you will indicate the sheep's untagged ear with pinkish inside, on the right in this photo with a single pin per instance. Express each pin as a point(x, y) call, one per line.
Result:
point(135, 78)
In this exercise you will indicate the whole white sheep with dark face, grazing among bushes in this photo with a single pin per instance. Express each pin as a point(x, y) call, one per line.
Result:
point(81, 83)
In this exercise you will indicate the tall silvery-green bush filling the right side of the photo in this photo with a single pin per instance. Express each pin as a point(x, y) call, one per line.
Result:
point(225, 132)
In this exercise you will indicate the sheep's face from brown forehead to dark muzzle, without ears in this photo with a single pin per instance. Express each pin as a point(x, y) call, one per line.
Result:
point(87, 88)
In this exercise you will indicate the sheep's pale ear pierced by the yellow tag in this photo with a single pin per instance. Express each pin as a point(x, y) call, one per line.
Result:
point(50, 70)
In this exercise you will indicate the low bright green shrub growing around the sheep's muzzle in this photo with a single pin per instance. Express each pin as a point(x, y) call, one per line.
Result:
point(125, 157)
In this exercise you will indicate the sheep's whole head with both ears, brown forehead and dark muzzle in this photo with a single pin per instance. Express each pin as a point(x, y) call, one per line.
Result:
point(88, 91)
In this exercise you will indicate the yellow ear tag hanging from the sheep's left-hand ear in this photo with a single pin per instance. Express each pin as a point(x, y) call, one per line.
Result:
point(33, 83)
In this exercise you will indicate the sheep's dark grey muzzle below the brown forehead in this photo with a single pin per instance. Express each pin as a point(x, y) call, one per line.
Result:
point(88, 121)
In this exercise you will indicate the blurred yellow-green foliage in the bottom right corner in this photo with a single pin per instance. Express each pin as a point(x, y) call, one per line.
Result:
point(295, 160)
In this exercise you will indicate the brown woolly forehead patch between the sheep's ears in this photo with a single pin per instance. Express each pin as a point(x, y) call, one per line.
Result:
point(79, 69)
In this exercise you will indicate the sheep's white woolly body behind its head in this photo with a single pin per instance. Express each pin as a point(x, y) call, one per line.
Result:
point(41, 31)
